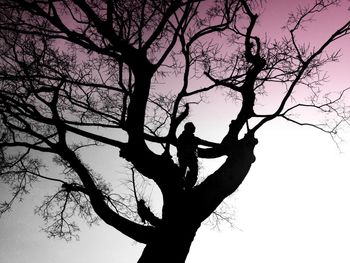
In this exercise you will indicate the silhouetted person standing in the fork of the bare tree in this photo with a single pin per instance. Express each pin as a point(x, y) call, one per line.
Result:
point(187, 148)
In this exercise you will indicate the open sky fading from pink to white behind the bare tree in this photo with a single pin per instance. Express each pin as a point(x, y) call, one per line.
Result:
point(292, 207)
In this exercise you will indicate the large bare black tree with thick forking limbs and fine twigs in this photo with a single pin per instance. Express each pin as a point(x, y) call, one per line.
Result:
point(80, 74)
